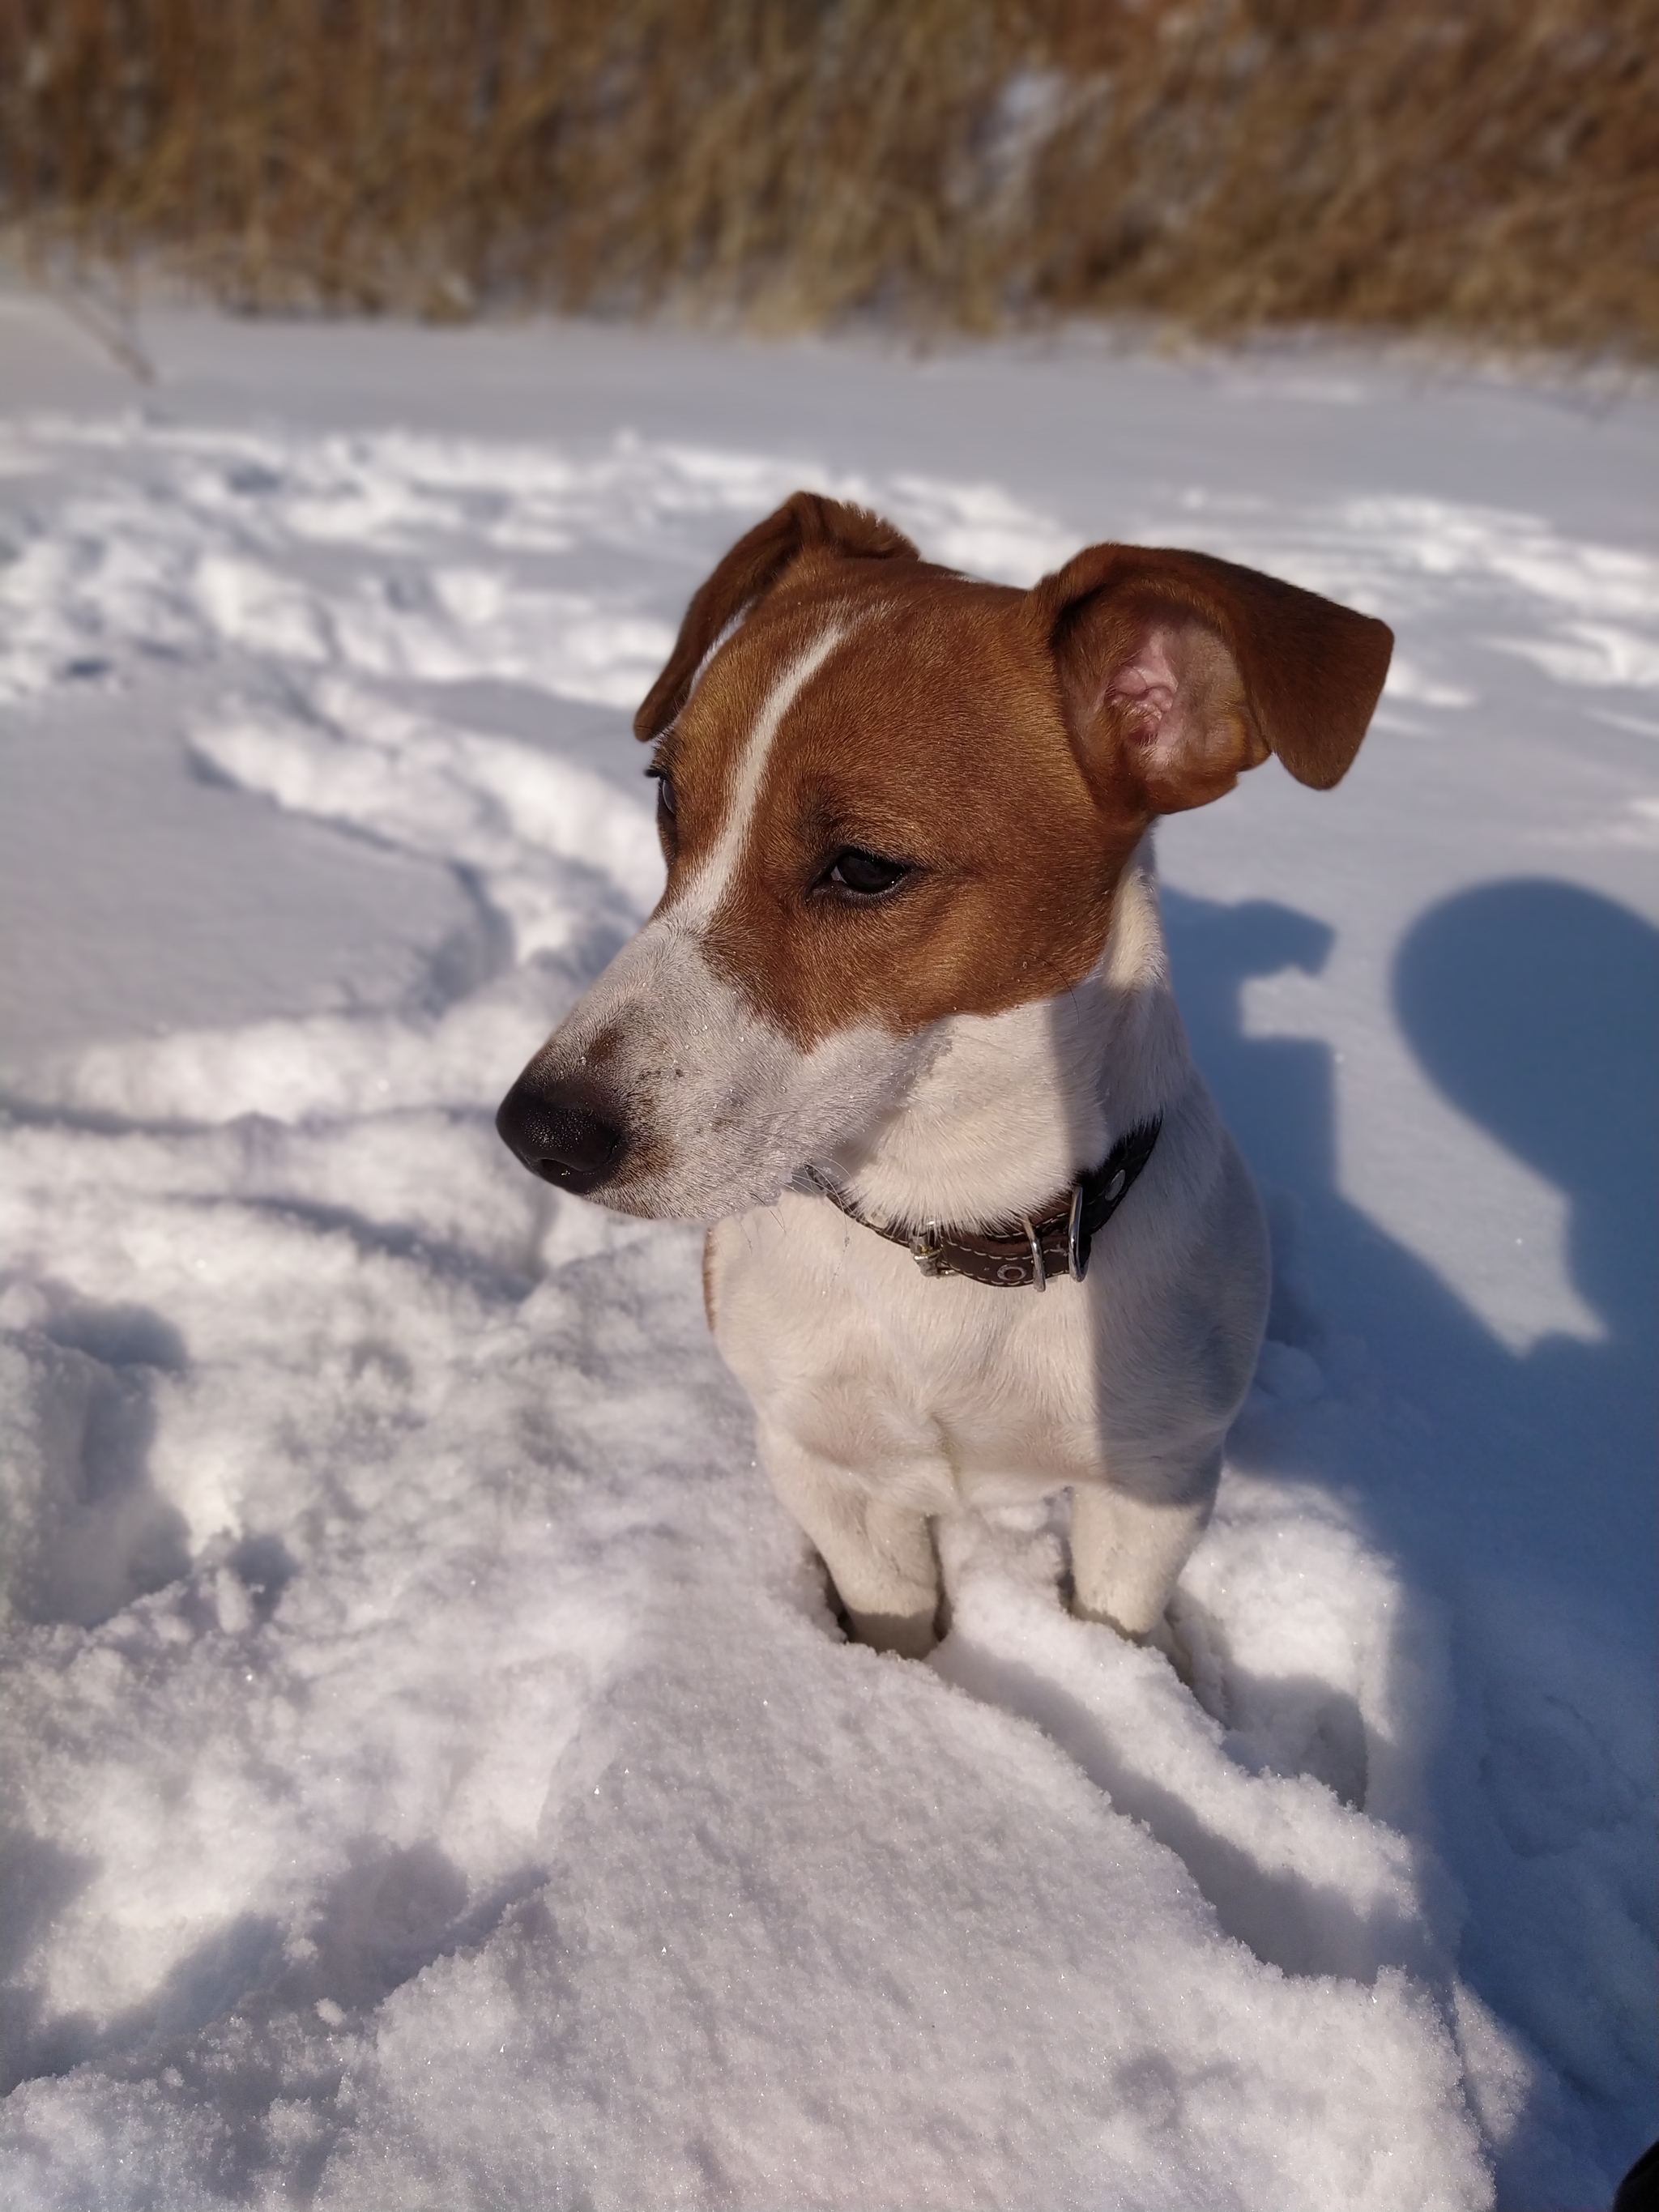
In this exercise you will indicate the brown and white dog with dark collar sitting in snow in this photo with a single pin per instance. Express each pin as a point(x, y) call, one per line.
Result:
point(910, 968)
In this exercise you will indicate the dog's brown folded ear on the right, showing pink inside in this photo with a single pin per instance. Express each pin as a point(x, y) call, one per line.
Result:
point(1180, 671)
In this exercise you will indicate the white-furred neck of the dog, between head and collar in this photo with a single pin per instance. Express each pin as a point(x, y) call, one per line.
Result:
point(1014, 1107)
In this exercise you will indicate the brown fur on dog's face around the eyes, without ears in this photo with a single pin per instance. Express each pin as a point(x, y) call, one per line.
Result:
point(937, 738)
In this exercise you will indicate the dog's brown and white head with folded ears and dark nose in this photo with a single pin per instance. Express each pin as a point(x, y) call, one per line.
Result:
point(890, 795)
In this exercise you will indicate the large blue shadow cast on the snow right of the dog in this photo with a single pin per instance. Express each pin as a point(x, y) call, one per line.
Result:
point(1514, 1488)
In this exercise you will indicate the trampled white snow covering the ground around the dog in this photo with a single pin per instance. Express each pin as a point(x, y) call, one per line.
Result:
point(432, 1773)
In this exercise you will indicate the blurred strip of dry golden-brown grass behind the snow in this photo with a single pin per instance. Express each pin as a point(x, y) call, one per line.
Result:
point(1485, 169)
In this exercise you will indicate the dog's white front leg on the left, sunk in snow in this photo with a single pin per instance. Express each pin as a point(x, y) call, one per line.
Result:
point(879, 1556)
